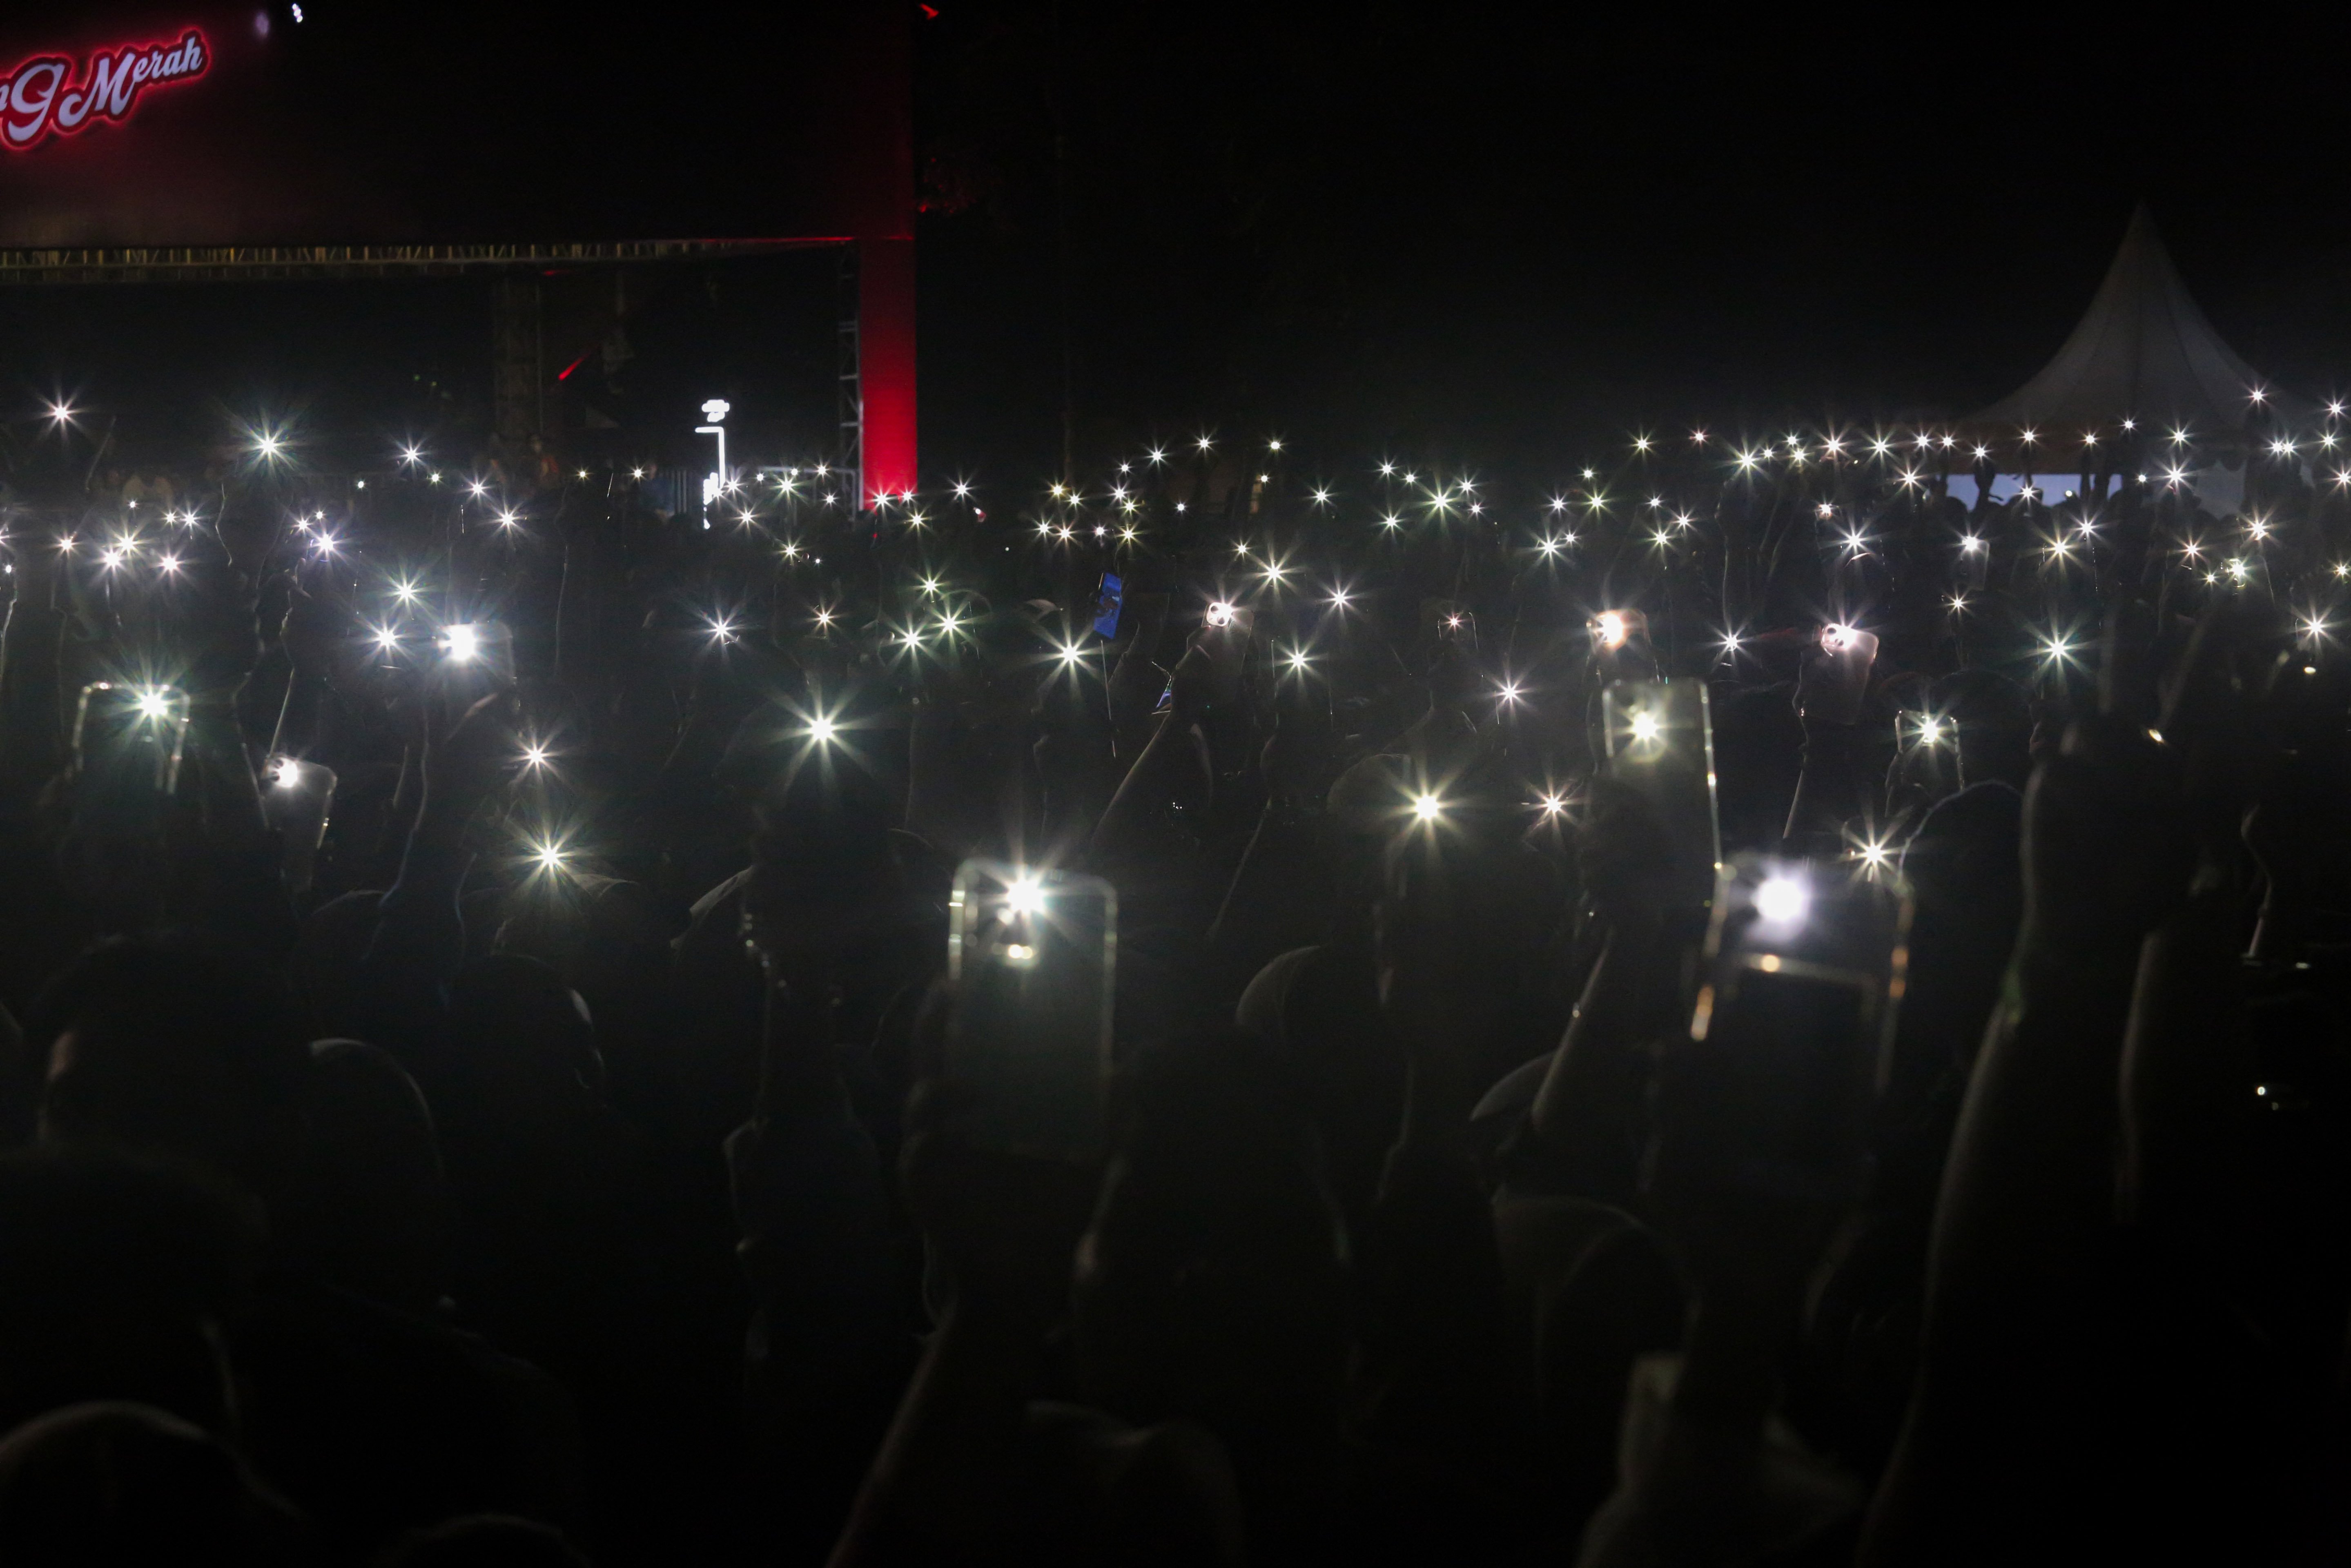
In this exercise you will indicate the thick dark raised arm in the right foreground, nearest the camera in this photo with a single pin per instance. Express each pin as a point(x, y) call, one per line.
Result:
point(2002, 1456)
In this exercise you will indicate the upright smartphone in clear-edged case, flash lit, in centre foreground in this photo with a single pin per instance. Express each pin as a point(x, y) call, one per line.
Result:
point(1033, 963)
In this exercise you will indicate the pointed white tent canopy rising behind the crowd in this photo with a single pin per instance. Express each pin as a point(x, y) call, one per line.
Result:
point(2141, 351)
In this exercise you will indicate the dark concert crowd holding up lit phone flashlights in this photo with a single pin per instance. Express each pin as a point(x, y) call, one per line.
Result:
point(1748, 1012)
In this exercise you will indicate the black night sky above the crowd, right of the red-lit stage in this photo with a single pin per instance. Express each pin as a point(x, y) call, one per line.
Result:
point(1527, 229)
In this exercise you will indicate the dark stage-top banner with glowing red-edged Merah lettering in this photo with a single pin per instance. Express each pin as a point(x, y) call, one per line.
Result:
point(340, 123)
